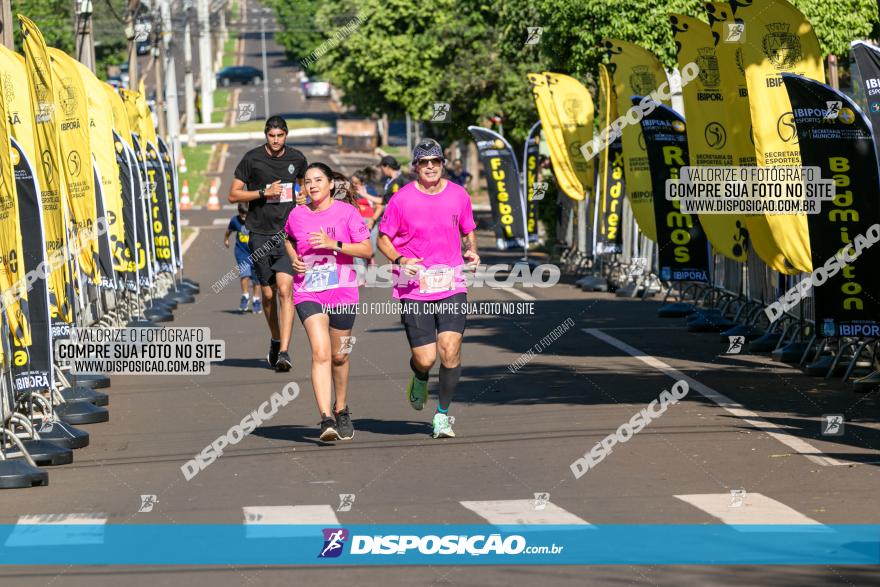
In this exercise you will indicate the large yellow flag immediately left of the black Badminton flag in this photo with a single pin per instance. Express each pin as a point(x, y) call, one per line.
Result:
point(777, 38)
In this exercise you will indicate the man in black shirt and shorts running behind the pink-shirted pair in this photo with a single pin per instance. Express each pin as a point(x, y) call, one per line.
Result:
point(265, 179)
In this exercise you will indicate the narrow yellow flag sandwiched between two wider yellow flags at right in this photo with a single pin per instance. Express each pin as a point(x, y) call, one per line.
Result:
point(740, 140)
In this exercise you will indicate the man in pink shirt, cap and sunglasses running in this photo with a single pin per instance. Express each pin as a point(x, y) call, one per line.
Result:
point(422, 232)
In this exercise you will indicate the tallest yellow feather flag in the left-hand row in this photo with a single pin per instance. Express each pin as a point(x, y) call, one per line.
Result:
point(48, 166)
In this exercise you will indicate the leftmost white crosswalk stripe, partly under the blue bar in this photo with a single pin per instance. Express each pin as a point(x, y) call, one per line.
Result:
point(30, 530)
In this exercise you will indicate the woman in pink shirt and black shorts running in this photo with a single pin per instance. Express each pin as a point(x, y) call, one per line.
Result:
point(323, 238)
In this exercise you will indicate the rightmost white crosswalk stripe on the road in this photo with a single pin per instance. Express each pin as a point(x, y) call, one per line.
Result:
point(755, 508)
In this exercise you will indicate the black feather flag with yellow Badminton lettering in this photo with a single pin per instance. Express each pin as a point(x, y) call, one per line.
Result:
point(836, 136)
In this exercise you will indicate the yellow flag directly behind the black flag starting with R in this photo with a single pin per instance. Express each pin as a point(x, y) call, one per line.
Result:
point(636, 72)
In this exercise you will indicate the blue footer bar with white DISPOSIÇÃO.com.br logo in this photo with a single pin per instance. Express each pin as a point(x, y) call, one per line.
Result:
point(253, 544)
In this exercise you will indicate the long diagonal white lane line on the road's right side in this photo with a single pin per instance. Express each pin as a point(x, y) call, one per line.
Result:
point(796, 444)
